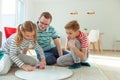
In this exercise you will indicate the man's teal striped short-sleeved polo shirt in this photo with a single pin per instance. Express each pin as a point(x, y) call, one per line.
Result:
point(45, 38)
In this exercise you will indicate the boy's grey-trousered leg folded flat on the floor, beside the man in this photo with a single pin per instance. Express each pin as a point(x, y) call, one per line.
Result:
point(65, 60)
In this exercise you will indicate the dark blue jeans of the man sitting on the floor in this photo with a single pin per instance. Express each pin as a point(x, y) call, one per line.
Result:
point(52, 55)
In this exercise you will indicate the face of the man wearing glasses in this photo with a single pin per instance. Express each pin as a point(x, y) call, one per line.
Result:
point(44, 23)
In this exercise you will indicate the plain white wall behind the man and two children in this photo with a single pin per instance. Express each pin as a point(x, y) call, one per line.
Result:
point(106, 17)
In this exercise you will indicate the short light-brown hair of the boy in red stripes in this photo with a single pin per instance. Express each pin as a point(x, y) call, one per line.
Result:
point(74, 25)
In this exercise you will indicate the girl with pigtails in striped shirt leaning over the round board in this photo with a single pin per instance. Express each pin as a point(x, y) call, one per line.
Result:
point(15, 46)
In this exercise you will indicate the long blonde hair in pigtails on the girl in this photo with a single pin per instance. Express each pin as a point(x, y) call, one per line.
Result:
point(27, 26)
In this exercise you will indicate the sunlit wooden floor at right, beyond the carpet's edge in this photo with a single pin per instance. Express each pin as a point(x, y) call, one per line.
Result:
point(109, 63)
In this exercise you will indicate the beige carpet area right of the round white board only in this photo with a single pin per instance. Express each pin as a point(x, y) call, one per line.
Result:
point(88, 73)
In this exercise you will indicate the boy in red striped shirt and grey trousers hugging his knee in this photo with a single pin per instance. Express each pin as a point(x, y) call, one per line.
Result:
point(77, 43)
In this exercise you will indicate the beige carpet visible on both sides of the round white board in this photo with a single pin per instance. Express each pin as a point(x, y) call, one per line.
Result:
point(84, 73)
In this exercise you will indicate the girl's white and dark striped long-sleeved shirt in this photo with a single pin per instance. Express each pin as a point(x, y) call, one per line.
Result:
point(13, 50)
